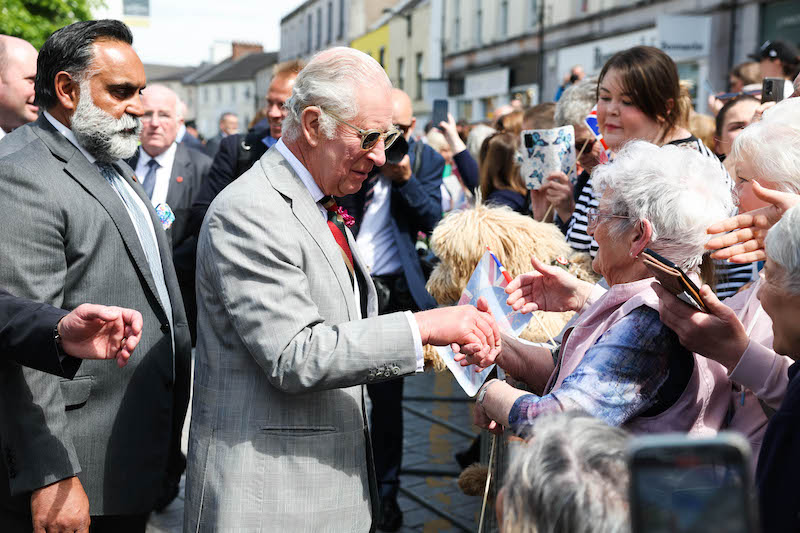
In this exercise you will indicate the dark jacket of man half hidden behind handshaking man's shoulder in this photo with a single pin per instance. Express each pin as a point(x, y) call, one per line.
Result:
point(225, 169)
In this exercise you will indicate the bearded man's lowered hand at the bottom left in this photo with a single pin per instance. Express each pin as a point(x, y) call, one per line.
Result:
point(60, 507)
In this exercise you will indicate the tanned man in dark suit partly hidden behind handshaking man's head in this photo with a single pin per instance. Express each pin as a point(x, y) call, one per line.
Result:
point(237, 153)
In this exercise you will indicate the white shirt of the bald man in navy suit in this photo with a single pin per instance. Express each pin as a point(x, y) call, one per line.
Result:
point(376, 240)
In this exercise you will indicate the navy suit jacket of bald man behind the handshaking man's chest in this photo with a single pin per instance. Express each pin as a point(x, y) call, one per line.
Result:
point(416, 206)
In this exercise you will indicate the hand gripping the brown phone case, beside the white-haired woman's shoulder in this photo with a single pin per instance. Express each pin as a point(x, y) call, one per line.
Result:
point(718, 335)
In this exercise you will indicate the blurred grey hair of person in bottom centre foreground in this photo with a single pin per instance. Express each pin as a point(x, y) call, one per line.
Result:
point(571, 477)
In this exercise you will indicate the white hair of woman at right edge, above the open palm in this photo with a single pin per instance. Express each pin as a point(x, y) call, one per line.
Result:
point(772, 147)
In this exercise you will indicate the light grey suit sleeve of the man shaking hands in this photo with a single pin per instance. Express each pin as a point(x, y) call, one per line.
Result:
point(255, 261)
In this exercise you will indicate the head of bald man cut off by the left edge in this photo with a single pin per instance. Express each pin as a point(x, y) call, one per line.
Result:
point(17, 74)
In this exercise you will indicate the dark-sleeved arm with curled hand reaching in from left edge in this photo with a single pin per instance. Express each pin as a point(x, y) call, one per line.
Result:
point(52, 340)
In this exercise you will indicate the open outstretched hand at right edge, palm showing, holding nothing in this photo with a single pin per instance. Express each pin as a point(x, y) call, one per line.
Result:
point(745, 243)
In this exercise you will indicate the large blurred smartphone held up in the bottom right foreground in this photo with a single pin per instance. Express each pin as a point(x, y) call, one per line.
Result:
point(680, 484)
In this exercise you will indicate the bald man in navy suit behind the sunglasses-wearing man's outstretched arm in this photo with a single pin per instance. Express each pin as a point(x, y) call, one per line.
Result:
point(390, 209)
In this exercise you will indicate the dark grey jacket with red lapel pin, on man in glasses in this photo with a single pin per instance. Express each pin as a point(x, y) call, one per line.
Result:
point(189, 172)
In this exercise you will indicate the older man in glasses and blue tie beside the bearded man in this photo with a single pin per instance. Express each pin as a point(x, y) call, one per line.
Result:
point(171, 173)
